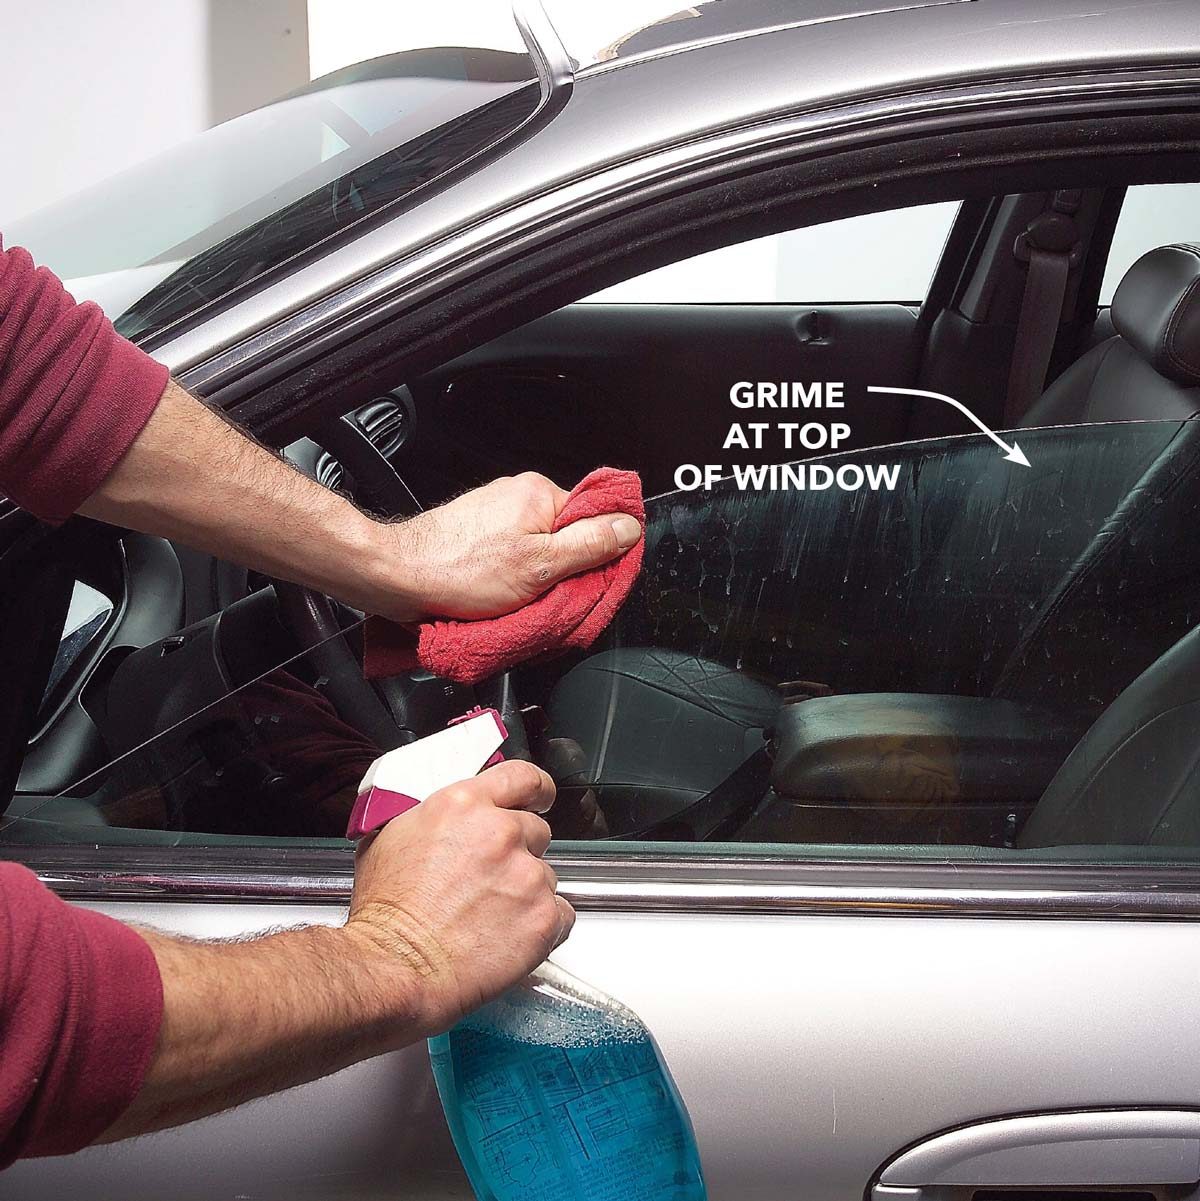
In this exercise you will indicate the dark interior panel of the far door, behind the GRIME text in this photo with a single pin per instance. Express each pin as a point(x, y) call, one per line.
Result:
point(648, 387)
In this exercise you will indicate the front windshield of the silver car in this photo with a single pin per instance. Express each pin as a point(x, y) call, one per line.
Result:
point(158, 243)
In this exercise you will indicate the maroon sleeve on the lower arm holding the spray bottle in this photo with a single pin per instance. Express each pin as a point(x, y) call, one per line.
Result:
point(81, 1003)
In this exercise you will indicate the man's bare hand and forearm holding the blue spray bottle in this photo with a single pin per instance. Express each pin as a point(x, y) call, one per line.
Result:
point(453, 904)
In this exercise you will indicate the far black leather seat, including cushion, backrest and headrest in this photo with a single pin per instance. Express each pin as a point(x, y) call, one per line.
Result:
point(661, 728)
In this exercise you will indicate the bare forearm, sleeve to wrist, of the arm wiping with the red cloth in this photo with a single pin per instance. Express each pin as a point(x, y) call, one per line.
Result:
point(193, 477)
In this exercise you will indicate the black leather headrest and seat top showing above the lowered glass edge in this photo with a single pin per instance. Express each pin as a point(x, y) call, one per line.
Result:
point(1151, 369)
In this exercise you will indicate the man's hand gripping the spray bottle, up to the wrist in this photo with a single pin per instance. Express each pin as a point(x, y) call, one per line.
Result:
point(457, 893)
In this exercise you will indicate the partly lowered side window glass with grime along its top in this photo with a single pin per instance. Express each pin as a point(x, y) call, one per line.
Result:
point(893, 652)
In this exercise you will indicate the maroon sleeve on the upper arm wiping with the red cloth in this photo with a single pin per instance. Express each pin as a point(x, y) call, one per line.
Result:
point(74, 393)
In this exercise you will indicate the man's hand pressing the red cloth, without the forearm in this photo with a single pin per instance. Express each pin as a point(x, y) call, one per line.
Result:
point(491, 551)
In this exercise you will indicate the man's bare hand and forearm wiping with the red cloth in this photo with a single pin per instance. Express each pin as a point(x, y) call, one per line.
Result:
point(194, 477)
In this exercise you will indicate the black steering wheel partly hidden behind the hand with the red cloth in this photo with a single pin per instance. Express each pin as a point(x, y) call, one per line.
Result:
point(387, 712)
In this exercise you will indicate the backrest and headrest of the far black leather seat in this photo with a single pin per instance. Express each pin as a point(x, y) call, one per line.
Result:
point(1150, 371)
